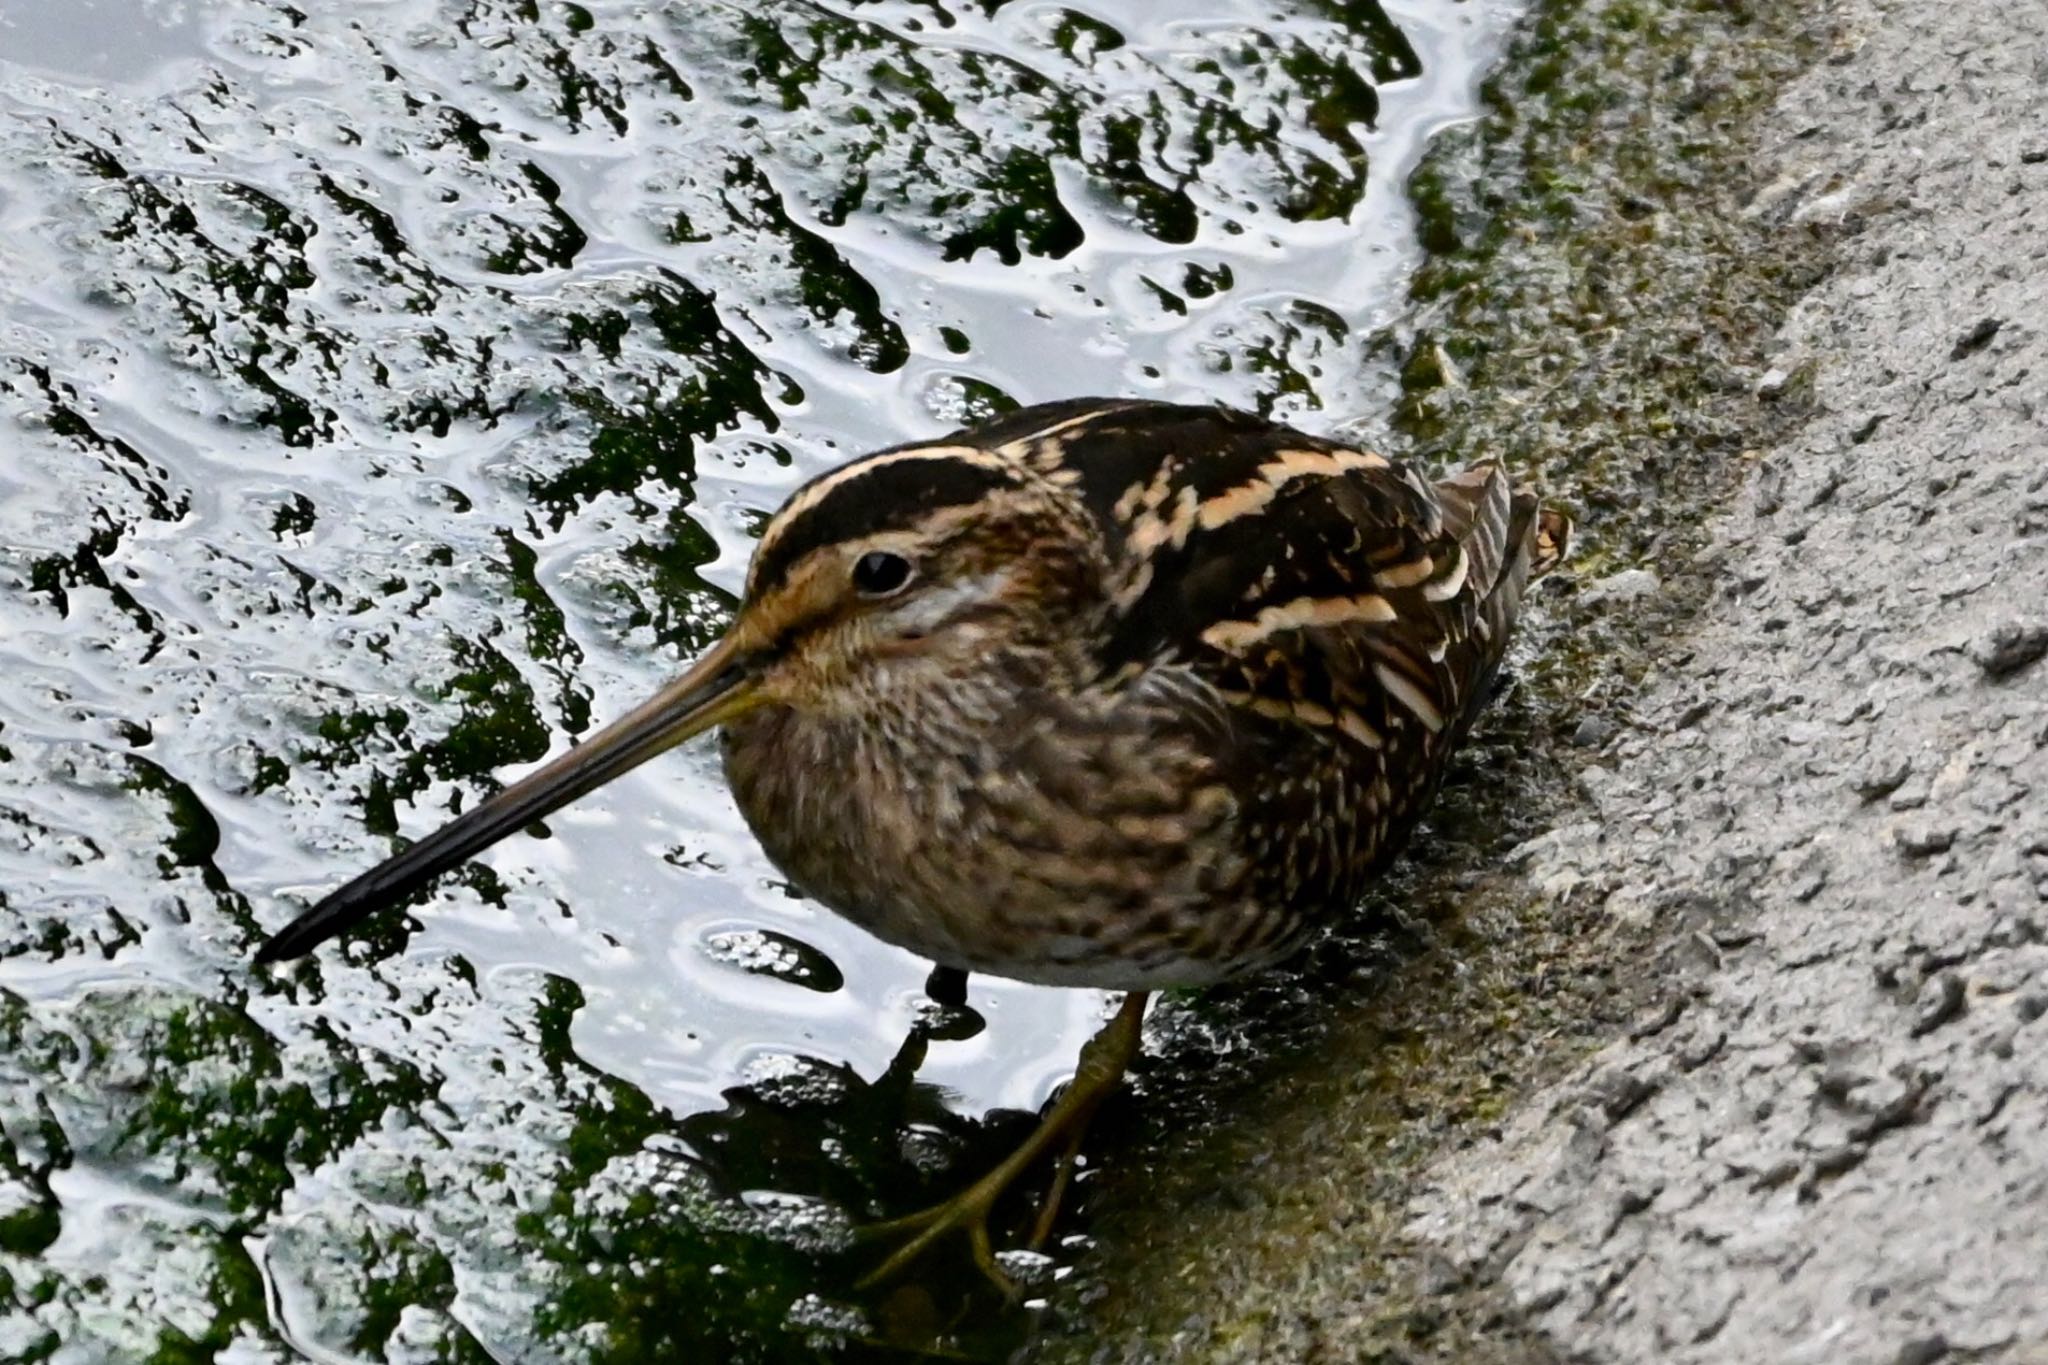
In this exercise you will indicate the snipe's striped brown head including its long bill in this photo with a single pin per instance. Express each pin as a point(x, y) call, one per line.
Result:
point(884, 584)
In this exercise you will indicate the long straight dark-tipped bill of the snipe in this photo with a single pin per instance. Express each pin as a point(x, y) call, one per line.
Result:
point(718, 689)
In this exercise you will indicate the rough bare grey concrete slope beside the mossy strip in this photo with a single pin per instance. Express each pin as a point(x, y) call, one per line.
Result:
point(1832, 1141)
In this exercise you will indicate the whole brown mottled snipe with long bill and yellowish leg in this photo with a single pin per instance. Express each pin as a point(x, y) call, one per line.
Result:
point(1099, 695)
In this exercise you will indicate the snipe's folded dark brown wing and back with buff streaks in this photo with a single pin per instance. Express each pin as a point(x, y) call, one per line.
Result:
point(1308, 580)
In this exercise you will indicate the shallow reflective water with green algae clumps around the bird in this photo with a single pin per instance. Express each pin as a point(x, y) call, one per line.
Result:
point(390, 394)
